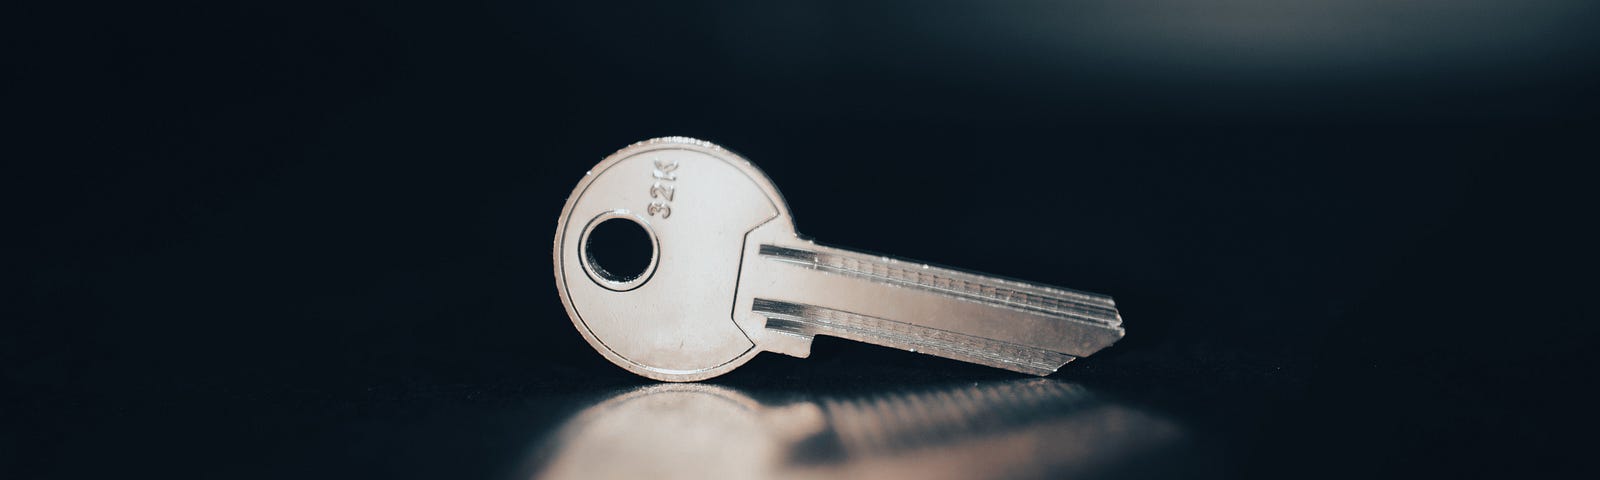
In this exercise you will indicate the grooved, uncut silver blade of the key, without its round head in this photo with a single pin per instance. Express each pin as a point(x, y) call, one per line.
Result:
point(802, 290)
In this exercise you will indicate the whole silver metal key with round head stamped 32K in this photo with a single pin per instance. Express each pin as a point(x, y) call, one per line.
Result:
point(727, 278)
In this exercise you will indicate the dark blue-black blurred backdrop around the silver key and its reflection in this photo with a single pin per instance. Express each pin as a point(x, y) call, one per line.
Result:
point(314, 241)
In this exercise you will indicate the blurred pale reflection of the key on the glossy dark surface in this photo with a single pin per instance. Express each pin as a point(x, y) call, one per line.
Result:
point(991, 430)
